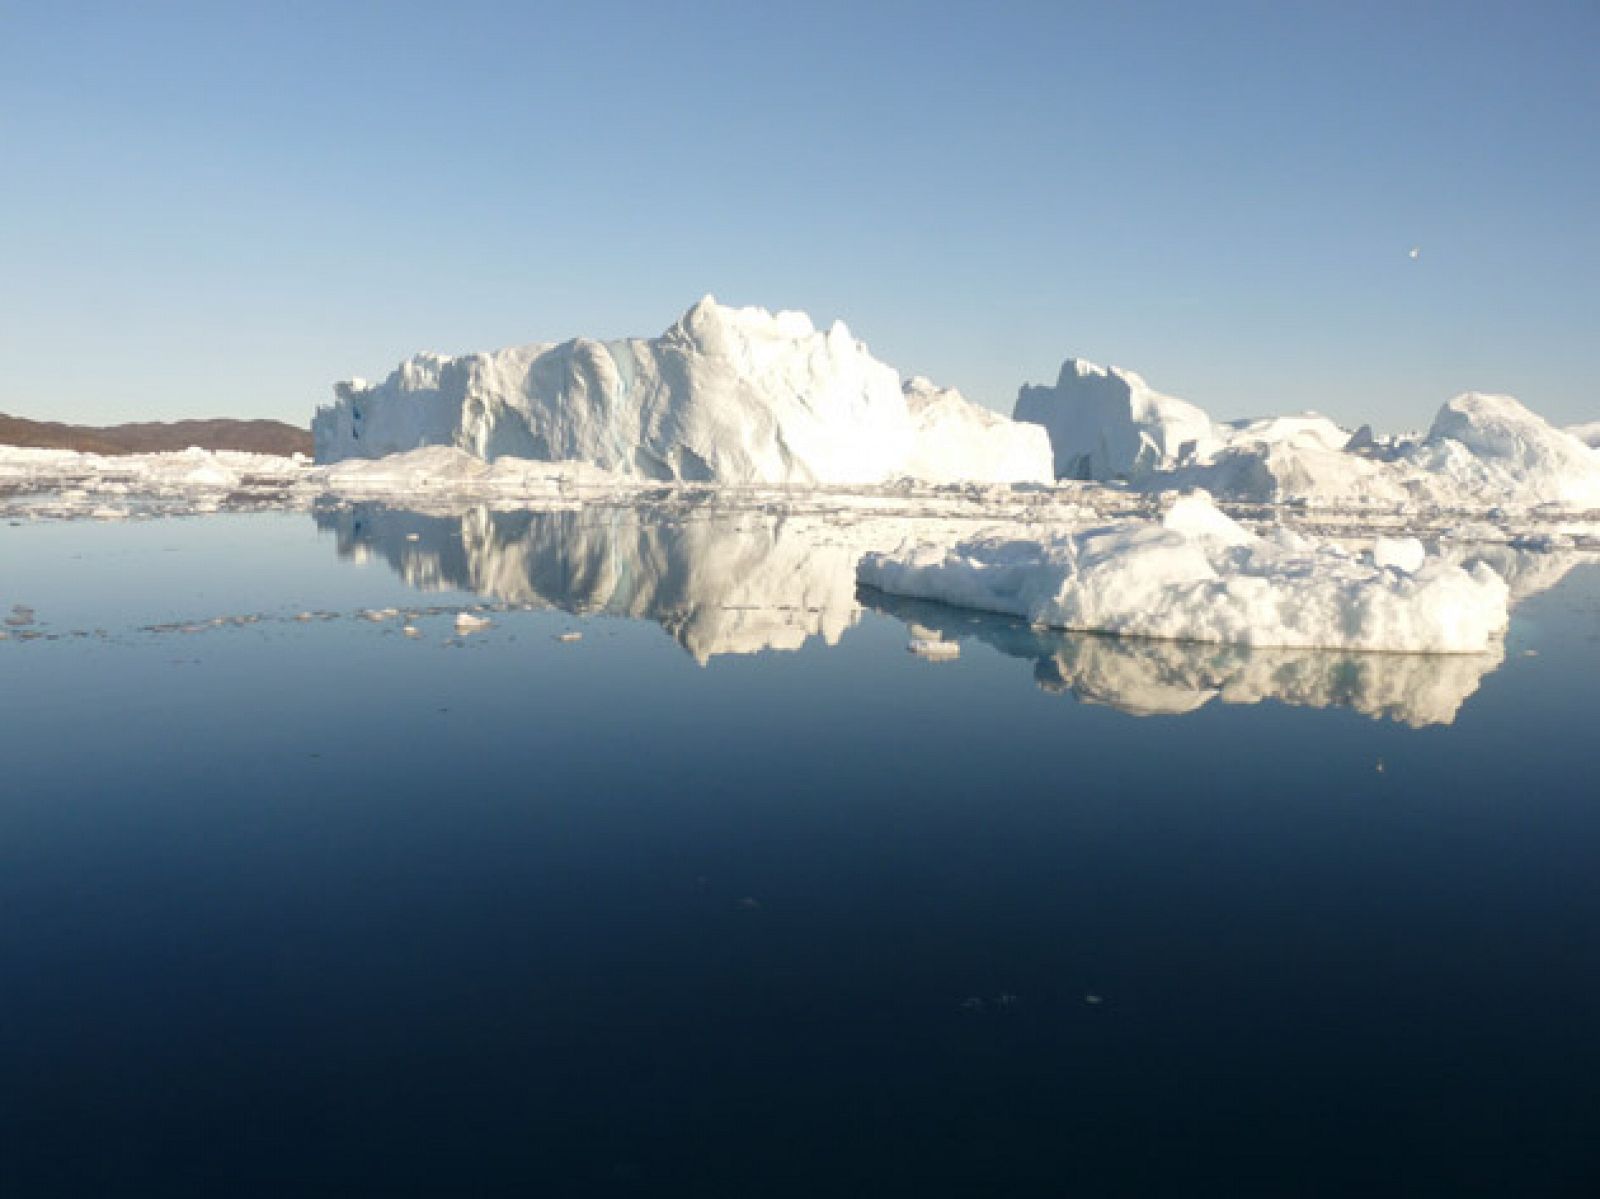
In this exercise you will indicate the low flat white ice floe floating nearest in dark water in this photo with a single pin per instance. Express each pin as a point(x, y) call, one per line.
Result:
point(1196, 575)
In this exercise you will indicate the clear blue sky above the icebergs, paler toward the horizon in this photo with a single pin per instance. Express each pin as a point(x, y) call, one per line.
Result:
point(218, 211)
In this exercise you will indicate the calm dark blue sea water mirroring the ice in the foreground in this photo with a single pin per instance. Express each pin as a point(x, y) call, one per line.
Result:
point(314, 907)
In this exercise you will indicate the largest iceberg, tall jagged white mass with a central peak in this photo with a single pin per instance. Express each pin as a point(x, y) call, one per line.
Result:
point(729, 396)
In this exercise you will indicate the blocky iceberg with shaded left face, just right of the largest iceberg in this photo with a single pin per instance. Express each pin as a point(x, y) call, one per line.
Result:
point(1108, 423)
